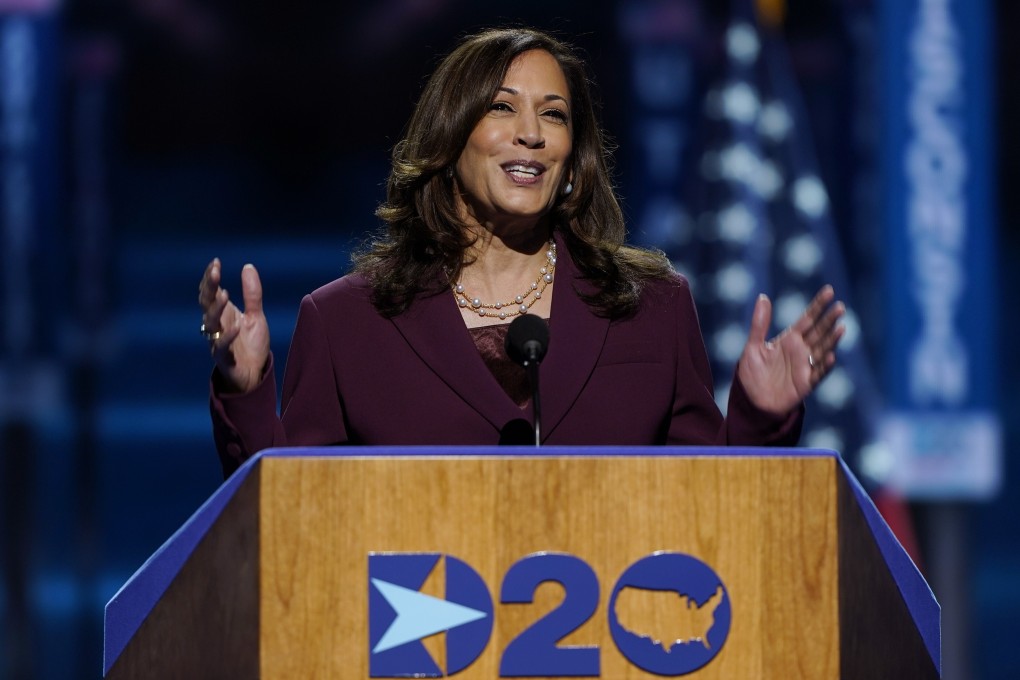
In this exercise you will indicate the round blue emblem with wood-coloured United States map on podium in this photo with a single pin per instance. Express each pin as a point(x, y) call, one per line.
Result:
point(670, 614)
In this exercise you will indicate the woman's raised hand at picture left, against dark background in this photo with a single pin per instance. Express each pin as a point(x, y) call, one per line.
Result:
point(242, 348)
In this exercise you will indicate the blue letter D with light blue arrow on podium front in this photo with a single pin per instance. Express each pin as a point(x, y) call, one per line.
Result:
point(400, 616)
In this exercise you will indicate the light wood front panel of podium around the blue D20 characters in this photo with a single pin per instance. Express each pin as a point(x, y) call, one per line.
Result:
point(767, 526)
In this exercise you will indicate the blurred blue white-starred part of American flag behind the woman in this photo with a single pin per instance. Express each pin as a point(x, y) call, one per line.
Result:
point(759, 221)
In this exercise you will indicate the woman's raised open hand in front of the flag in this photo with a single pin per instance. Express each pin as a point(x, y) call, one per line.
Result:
point(779, 374)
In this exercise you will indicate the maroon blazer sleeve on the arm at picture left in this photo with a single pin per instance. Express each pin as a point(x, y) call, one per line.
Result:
point(312, 414)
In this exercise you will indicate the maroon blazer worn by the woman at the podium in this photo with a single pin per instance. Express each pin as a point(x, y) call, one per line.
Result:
point(356, 378)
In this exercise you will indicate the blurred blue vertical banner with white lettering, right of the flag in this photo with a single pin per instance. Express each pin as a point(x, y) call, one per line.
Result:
point(942, 436)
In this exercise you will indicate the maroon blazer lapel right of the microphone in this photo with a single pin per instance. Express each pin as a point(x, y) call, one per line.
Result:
point(577, 338)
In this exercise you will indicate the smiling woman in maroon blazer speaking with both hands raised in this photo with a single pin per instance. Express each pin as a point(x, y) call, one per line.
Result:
point(500, 204)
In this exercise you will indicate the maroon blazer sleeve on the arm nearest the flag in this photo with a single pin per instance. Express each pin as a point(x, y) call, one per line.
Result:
point(696, 419)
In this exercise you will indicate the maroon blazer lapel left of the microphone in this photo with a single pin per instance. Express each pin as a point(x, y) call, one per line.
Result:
point(434, 329)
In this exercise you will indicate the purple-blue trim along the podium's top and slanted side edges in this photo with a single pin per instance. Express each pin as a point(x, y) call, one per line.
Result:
point(129, 608)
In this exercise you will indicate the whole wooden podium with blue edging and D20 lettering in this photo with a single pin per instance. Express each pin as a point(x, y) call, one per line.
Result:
point(276, 576)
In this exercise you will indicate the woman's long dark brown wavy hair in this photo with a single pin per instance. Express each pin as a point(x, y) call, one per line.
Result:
point(425, 240)
